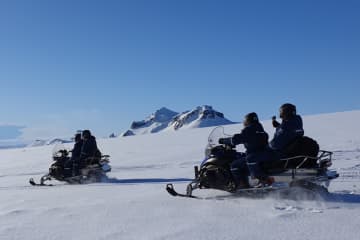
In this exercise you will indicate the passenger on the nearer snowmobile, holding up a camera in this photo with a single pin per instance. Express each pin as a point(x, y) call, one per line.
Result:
point(288, 130)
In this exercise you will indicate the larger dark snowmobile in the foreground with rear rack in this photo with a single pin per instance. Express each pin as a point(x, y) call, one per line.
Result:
point(304, 168)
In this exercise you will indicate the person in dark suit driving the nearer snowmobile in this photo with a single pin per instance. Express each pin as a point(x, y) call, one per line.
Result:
point(255, 141)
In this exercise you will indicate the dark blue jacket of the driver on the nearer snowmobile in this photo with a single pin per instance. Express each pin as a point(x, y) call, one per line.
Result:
point(253, 137)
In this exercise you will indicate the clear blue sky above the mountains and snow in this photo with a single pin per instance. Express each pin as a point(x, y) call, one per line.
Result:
point(68, 65)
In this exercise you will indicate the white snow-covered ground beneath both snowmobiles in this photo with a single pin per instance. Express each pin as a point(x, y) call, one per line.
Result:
point(135, 205)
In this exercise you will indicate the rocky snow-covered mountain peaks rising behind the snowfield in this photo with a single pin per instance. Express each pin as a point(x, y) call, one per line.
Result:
point(168, 120)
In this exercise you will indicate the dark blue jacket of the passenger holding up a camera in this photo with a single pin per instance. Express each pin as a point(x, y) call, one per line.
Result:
point(286, 132)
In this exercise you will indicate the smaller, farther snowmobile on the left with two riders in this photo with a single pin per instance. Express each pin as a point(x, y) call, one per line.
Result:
point(94, 171)
